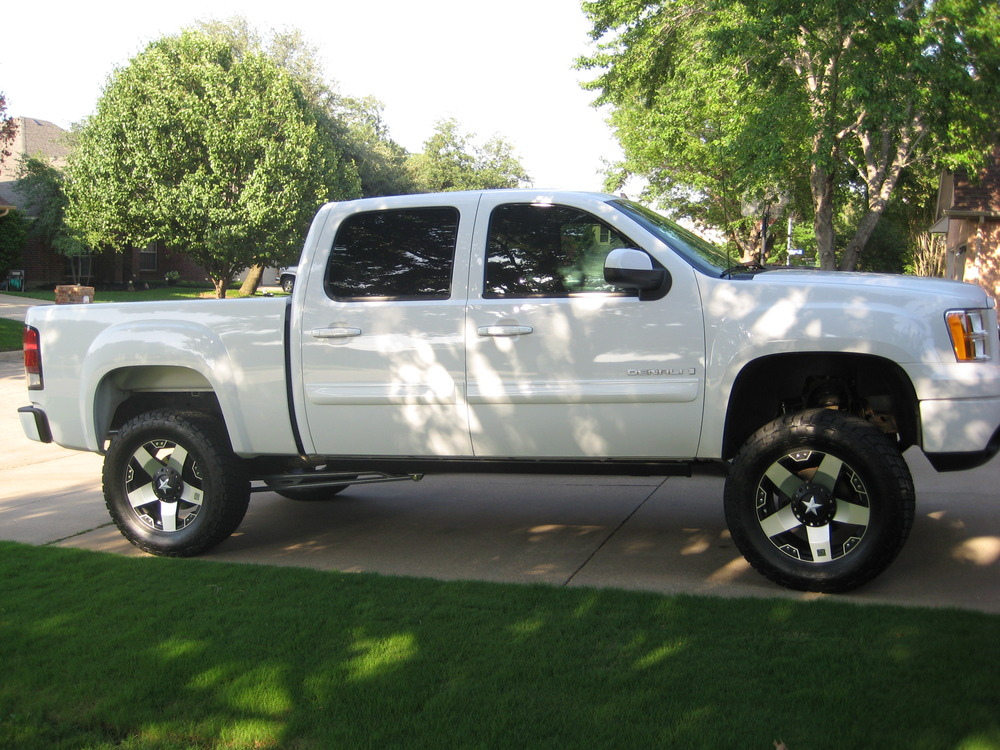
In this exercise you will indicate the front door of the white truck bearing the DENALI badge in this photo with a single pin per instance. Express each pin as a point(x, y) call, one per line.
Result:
point(560, 363)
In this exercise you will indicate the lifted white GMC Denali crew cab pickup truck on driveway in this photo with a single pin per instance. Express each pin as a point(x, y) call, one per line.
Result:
point(519, 331)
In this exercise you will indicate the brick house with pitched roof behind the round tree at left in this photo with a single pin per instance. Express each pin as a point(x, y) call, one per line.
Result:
point(42, 265)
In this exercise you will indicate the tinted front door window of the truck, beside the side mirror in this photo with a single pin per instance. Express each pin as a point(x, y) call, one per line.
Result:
point(539, 250)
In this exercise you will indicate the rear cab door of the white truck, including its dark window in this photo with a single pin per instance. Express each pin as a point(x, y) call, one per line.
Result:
point(381, 329)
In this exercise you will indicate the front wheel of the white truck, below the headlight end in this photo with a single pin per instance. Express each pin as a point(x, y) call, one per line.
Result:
point(819, 501)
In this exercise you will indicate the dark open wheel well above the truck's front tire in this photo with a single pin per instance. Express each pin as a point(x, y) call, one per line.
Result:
point(867, 385)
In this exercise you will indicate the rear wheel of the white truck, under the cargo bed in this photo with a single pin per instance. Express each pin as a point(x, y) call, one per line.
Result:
point(173, 485)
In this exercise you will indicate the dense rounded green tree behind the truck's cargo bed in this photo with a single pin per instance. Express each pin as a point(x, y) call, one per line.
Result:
point(211, 149)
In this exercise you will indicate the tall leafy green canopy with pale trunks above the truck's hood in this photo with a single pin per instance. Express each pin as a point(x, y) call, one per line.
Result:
point(722, 105)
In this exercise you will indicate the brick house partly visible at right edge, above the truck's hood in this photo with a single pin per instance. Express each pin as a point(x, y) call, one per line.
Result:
point(968, 213)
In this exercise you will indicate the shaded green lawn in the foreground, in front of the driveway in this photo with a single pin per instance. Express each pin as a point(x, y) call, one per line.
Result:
point(99, 651)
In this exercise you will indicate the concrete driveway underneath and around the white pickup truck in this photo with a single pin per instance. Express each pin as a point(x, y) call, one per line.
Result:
point(656, 534)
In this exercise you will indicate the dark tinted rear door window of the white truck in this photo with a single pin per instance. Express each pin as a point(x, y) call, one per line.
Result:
point(396, 254)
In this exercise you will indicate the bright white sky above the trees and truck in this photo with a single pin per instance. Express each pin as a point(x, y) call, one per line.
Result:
point(502, 69)
